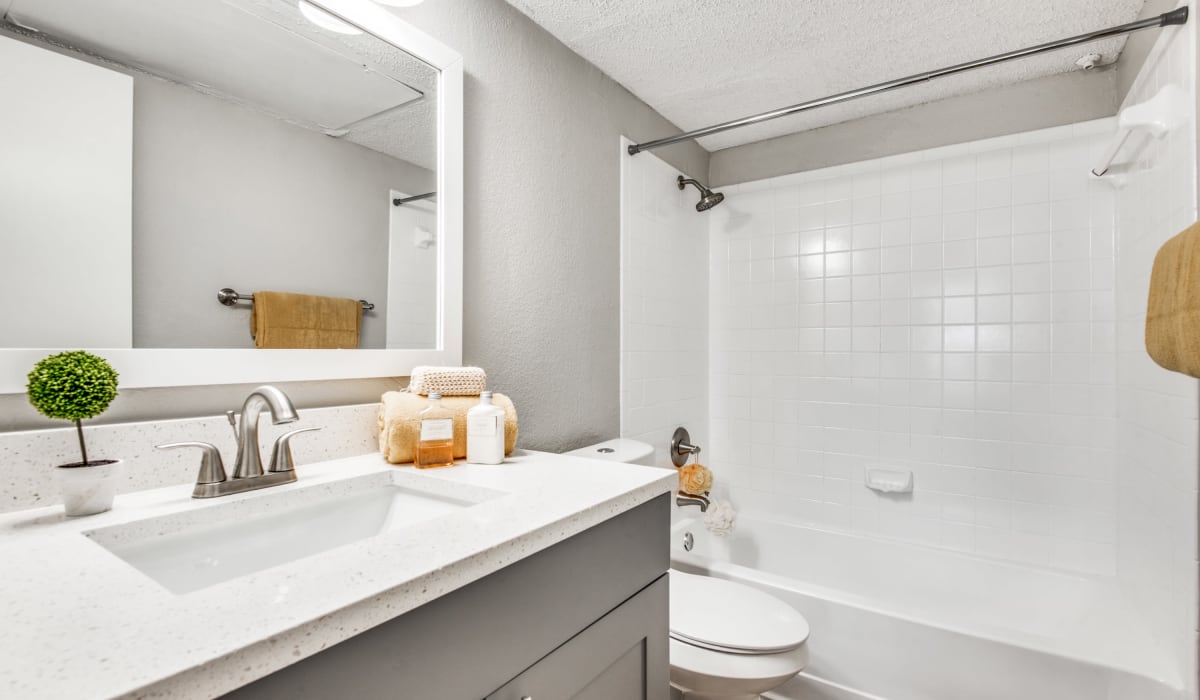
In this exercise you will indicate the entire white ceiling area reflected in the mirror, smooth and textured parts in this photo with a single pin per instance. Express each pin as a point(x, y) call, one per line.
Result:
point(367, 91)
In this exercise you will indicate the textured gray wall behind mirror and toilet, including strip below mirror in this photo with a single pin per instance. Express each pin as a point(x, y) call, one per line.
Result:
point(542, 306)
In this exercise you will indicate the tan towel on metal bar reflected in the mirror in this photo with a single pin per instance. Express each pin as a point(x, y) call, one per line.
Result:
point(281, 320)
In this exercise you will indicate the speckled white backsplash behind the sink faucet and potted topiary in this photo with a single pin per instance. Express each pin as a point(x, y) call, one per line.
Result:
point(28, 458)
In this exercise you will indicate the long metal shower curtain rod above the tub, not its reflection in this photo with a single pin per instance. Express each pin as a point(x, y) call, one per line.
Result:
point(1179, 16)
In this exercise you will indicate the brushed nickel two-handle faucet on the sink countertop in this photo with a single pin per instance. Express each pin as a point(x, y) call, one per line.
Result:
point(248, 471)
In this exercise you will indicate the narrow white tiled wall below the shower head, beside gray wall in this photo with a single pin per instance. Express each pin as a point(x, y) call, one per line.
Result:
point(664, 306)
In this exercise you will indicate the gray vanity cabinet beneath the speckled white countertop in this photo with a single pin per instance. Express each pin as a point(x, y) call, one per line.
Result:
point(585, 619)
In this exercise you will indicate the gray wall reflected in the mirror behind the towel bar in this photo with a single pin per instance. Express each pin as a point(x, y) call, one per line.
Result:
point(229, 198)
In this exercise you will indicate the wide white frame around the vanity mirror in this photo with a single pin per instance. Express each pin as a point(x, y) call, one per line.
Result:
point(142, 368)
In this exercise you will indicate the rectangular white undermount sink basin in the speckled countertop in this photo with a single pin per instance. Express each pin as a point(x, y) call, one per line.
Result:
point(200, 548)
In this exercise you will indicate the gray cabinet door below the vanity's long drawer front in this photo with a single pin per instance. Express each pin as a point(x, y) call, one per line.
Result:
point(623, 656)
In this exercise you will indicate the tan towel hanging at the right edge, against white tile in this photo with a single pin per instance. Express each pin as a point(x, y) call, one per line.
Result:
point(1173, 312)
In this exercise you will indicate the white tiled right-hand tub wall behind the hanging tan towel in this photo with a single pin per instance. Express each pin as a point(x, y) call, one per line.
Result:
point(1157, 438)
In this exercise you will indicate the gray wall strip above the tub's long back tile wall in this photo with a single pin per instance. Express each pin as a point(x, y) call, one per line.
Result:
point(1040, 104)
